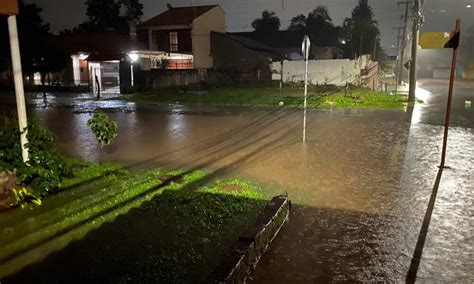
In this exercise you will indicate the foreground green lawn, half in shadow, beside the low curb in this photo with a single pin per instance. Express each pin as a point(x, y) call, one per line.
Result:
point(119, 226)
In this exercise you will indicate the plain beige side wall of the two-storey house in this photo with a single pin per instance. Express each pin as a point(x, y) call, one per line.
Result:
point(213, 20)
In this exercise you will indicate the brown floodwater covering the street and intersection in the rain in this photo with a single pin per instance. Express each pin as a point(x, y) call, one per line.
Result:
point(359, 187)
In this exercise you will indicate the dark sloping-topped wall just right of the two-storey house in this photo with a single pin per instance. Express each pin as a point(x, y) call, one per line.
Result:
point(242, 59)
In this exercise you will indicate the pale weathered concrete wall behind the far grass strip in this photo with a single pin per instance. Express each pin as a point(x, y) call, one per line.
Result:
point(322, 72)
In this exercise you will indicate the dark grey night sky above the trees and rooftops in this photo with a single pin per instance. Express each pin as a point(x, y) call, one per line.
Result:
point(440, 14)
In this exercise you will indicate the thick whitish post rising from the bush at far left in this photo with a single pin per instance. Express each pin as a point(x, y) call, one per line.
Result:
point(19, 91)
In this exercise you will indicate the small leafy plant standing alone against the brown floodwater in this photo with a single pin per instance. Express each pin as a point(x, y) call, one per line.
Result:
point(104, 129)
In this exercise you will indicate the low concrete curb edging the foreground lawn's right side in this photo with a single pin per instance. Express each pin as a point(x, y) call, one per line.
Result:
point(240, 262)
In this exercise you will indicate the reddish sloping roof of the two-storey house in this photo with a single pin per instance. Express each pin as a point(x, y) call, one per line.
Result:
point(178, 16)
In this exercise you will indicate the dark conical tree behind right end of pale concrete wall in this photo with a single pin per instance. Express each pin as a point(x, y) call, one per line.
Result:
point(361, 31)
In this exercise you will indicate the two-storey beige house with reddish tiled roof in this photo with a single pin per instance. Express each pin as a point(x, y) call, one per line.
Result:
point(183, 35)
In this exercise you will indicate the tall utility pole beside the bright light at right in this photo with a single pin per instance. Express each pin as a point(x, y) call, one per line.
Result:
point(417, 22)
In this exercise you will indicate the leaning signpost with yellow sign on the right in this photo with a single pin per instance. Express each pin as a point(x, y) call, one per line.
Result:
point(445, 40)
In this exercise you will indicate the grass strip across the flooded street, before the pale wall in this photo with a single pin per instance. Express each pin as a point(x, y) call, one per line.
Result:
point(271, 96)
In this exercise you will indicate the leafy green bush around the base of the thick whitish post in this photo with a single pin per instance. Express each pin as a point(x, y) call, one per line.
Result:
point(46, 166)
